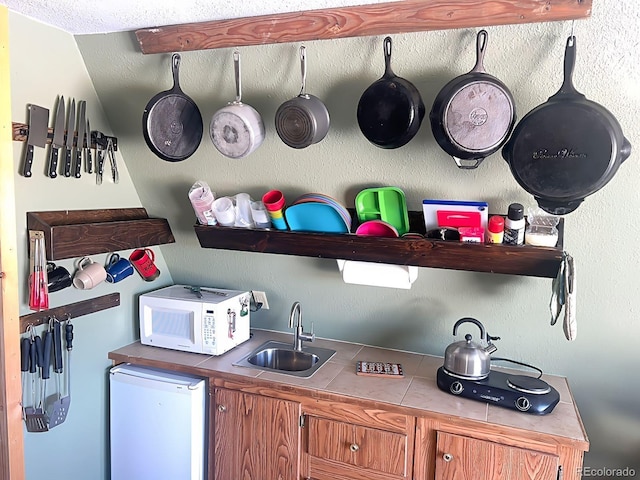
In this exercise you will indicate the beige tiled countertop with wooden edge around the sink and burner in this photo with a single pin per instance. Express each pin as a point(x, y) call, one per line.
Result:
point(416, 390)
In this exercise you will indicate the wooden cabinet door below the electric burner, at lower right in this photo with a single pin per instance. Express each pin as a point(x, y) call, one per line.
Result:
point(464, 458)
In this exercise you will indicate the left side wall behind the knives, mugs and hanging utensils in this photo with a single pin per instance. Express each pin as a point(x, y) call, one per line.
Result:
point(46, 62)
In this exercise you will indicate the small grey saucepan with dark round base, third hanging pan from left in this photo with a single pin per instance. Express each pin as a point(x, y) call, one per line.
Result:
point(302, 120)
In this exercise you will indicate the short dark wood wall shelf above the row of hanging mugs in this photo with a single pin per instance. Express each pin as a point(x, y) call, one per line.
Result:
point(76, 233)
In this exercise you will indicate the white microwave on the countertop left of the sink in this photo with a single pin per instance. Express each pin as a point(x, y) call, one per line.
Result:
point(206, 320)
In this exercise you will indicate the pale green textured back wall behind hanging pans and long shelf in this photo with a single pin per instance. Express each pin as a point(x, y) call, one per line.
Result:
point(601, 235)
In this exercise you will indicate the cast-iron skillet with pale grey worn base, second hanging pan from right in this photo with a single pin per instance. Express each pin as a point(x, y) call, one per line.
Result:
point(473, 114)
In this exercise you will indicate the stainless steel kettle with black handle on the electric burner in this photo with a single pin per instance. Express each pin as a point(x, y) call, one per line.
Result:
point(467, 359)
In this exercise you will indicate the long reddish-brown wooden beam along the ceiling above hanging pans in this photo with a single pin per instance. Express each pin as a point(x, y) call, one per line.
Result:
point(365, 20)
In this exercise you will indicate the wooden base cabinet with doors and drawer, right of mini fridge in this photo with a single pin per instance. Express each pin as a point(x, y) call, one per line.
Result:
point(263, 429)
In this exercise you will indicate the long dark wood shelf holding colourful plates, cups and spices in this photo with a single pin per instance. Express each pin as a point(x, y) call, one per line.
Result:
point(507, 259)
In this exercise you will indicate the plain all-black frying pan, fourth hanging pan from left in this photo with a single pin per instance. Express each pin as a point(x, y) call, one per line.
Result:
point(390, 110)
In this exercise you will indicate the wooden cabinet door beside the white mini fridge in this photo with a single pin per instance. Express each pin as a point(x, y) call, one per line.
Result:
point(255, 437)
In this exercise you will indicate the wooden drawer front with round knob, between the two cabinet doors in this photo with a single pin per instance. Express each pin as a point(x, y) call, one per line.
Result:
point(367, 448)
